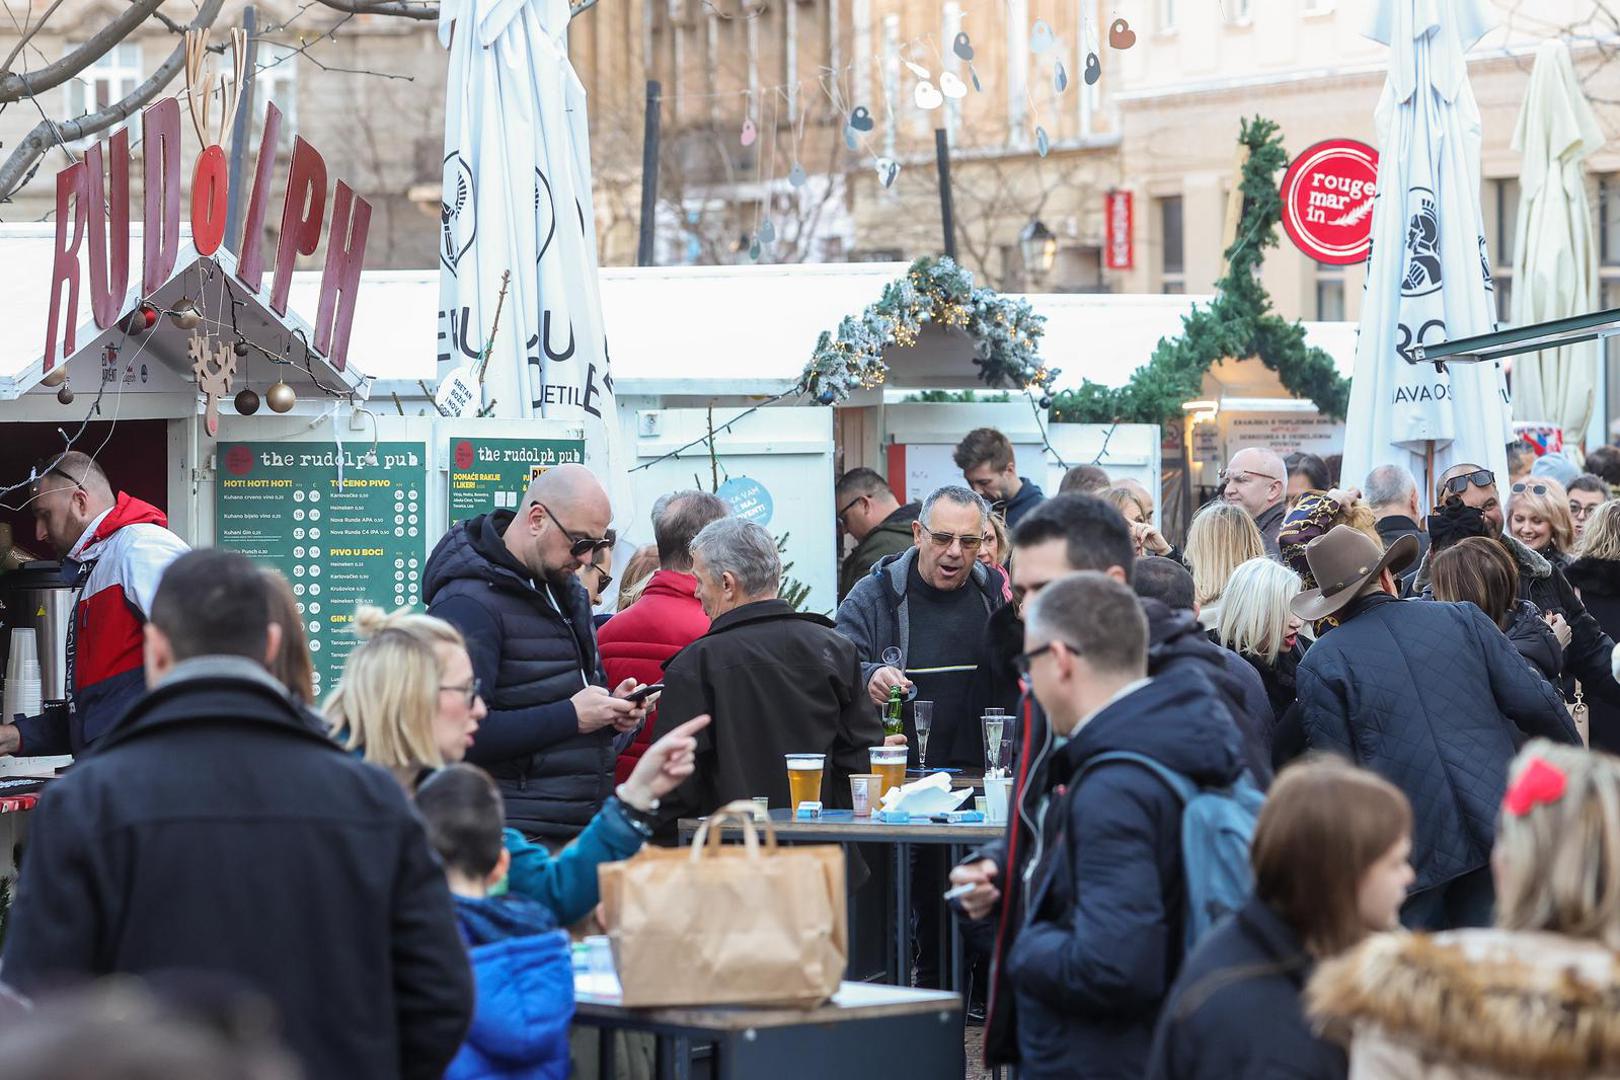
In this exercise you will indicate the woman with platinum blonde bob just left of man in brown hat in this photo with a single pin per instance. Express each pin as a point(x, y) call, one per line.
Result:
point(1260, 626)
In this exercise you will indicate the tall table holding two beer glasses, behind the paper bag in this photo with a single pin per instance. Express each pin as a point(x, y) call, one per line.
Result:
point(843, 827)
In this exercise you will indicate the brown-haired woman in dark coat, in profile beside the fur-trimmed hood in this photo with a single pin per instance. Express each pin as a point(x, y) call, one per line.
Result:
point(1329, 869)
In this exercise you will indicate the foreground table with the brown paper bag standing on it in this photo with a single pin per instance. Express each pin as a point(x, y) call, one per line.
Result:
point(866, 1031)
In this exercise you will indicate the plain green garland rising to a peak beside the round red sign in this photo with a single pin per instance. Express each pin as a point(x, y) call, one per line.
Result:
point(1238, 323)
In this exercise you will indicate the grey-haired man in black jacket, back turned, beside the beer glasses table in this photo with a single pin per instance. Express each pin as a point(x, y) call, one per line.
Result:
point(774, 681)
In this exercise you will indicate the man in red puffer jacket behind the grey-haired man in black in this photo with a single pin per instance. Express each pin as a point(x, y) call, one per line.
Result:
point(668, 616)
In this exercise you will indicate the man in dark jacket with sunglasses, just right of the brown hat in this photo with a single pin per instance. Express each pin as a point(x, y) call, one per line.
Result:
point(1541, 584)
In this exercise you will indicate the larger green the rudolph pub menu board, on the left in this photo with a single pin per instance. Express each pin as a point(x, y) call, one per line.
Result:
point(343, 524)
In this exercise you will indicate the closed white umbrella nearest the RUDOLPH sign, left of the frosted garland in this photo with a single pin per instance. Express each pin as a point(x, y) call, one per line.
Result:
point(518, 200)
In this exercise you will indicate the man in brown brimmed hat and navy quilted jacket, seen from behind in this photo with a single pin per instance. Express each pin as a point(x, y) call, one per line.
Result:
point(1430, 695)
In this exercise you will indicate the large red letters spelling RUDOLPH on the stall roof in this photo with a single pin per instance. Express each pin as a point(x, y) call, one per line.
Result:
point(90, 208)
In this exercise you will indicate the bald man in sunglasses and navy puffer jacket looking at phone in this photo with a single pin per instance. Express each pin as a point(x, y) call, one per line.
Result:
point(508, 584)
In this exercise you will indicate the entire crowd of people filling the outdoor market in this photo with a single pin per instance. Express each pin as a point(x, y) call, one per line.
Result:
point(1386, 708)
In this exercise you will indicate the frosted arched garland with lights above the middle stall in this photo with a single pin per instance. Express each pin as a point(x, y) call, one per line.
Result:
point(1005, 334)
